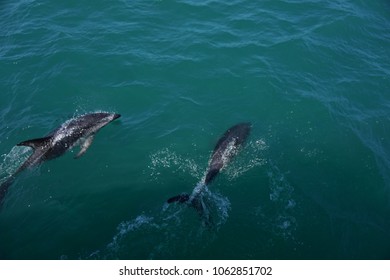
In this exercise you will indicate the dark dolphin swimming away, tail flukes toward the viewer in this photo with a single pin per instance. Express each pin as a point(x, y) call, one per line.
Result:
point(225, 149)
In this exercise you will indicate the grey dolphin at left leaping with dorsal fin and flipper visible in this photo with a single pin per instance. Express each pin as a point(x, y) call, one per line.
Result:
point(79, 130)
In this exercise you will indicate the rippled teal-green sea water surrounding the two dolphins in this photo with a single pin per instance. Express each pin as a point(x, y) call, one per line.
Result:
point(312, 77)
